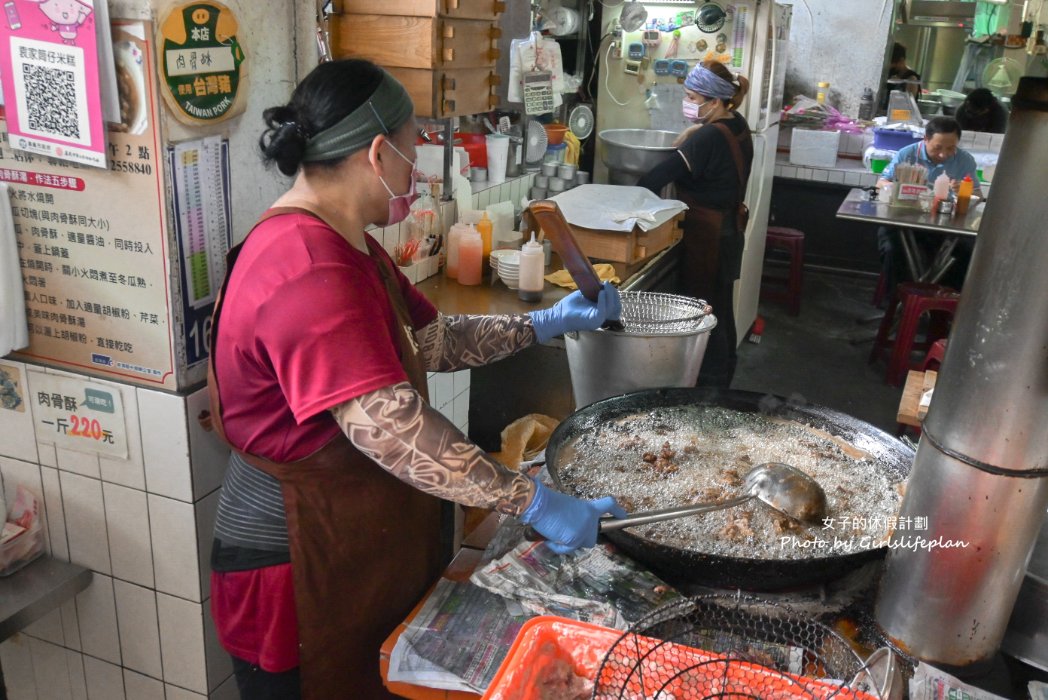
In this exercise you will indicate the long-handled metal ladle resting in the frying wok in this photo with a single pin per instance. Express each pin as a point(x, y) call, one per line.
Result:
point(784, 489)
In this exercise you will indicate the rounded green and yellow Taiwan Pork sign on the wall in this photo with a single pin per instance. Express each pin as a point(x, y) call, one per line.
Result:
point(202, 63)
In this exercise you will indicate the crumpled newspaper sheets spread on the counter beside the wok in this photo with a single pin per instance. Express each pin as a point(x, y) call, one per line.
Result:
point(465, 631)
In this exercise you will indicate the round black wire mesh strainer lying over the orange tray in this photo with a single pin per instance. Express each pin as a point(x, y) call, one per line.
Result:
point(728, 647)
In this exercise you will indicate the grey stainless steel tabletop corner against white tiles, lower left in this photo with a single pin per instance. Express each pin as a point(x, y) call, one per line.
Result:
point(34, 592)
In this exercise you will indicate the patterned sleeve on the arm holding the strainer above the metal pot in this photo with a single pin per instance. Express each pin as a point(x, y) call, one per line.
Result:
point(455, 342)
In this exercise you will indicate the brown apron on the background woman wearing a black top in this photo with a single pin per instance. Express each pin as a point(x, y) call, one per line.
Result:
point(704, 228)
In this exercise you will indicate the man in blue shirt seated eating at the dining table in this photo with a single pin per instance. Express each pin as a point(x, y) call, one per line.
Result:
point(938, 154)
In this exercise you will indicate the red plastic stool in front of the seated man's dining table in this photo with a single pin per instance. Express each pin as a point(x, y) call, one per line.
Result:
point(915, 299)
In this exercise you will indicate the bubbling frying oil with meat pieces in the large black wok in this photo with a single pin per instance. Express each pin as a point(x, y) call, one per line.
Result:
point(694, 454)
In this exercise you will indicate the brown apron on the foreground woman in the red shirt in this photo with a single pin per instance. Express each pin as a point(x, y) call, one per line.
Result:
point(365, 546)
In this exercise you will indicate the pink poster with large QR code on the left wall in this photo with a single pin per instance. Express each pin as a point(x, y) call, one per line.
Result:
point(50, 73)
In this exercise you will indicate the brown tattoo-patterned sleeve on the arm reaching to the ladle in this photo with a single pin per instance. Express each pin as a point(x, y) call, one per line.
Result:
point(399, 430)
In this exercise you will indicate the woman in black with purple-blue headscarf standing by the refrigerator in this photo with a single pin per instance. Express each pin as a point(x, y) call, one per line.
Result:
point(710, 171)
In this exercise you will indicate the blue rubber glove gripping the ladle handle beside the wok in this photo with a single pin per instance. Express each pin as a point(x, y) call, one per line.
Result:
point(566, 522)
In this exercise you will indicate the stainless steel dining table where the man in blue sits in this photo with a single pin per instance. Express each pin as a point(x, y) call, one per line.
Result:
point(859, 207)
